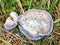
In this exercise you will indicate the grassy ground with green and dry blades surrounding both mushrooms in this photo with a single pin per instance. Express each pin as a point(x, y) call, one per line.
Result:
point(15, 37)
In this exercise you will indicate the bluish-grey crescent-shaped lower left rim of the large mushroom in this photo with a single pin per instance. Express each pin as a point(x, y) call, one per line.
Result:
point(27, 35)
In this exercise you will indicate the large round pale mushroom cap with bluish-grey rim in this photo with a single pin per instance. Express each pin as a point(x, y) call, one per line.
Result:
point(35, 24)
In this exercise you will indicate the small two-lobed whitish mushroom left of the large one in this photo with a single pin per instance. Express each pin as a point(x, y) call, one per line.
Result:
point(11, 22)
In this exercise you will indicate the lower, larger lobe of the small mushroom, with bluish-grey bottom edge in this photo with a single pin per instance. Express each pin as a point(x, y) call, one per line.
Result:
point(9, 24)
